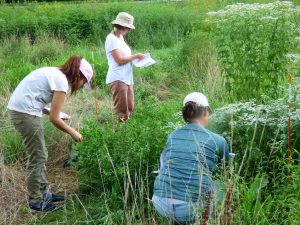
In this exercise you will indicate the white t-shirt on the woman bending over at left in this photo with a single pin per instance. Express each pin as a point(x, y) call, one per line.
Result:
point(35, 91)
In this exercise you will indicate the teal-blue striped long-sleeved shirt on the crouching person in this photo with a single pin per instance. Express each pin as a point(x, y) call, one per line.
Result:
point(191, 156)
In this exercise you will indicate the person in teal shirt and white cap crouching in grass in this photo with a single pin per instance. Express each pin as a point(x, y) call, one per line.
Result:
point(191, 156)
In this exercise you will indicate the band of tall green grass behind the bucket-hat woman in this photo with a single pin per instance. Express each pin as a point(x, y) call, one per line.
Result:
point(164, 23)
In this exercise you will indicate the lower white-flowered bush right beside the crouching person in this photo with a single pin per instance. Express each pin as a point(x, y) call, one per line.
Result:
point(258, 134)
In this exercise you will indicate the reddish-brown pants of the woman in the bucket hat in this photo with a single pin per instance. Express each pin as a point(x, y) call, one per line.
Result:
point(123, 99)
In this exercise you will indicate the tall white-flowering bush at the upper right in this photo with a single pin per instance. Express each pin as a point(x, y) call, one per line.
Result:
point(252, 41)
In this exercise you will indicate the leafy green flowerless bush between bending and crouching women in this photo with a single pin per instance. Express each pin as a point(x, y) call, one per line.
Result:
point(111, 154)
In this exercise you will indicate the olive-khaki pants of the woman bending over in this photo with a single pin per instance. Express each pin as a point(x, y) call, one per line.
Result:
point(32, 133)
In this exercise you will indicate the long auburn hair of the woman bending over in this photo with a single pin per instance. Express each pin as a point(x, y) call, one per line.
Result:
point(71, 69)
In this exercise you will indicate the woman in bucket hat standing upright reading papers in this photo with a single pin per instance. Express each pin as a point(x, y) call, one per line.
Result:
point(119, 76)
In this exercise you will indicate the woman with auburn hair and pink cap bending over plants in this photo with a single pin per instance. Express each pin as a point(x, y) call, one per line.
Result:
point(26, 106)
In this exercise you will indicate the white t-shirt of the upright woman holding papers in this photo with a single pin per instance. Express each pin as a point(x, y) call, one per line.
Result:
point(118, 72)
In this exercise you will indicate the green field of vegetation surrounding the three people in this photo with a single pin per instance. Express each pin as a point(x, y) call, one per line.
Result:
point(238, 53)
